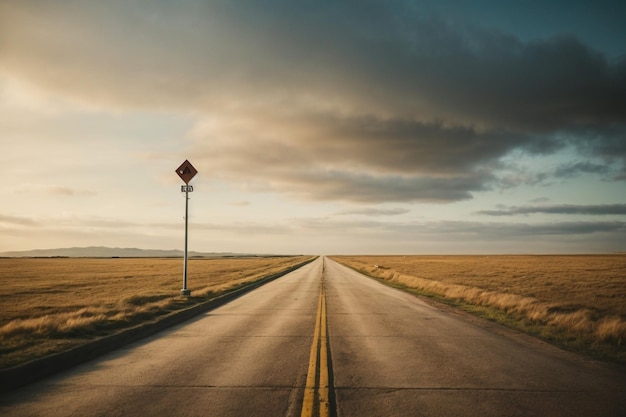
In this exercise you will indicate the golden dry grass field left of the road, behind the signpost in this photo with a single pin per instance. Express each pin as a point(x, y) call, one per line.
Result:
point(51, 304)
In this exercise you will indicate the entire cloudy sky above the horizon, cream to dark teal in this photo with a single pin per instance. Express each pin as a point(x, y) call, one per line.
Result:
point(316, 127)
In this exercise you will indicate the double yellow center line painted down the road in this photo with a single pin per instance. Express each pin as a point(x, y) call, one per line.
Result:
point(317, 389)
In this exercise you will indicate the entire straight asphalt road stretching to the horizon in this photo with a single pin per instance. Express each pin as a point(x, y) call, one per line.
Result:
point(389, 354)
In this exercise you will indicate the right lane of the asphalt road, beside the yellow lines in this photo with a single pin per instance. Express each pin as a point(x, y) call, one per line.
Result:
point(393, 354)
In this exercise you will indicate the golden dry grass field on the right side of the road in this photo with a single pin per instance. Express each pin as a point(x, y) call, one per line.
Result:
point(575, 301)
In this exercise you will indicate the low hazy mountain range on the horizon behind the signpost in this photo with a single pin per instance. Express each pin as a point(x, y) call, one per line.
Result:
point(104, 252)
